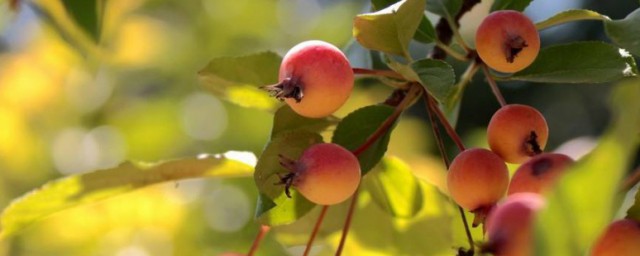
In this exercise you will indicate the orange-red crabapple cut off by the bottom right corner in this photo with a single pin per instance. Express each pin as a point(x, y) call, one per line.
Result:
point(621, 238)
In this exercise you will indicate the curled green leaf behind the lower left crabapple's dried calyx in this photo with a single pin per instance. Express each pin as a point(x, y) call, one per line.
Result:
point(290, 144)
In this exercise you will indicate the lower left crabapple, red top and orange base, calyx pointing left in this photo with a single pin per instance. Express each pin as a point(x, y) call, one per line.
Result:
point(325, 174)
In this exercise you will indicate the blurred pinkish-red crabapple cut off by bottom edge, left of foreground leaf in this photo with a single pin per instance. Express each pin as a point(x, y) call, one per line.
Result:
point(510, 225)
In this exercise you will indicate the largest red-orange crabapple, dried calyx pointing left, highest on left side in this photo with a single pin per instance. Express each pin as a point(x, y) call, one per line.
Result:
point(315, 79)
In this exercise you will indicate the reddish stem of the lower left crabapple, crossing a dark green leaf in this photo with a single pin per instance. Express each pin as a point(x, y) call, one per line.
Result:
point(414, 91)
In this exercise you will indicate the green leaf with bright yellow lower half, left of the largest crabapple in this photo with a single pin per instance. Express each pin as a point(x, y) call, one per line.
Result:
point(237, 79)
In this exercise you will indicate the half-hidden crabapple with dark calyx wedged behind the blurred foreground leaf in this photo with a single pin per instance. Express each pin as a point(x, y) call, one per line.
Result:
point(539, 173)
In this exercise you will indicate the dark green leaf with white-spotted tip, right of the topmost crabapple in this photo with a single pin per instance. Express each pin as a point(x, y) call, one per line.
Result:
point(580, 62)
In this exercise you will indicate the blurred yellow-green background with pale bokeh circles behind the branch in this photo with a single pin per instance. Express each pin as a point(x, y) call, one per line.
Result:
point(74, 98)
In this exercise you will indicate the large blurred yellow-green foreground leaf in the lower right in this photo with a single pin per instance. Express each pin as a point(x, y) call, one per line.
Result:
point(572, 219)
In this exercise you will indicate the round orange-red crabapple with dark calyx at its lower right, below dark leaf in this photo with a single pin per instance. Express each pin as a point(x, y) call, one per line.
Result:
point(517, 132)
